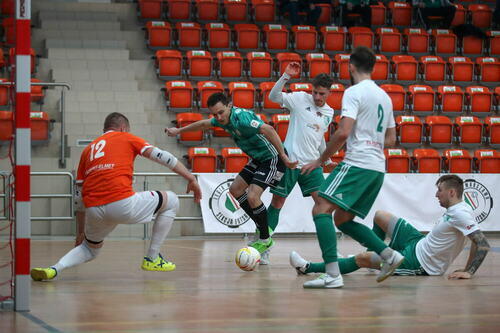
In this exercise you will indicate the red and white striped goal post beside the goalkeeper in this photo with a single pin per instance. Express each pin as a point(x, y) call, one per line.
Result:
point(23, 156)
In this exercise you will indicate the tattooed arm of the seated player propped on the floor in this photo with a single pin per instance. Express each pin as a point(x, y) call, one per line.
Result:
point(478, 251)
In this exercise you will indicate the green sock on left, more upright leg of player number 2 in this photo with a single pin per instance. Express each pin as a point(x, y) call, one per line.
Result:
point(327, 237)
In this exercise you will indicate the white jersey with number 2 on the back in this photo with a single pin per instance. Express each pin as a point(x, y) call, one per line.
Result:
point(371, 107)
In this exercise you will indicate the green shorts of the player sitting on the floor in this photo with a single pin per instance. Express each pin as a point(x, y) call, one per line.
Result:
point(404, 239)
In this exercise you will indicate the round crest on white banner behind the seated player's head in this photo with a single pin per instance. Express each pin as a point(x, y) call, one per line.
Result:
point(477, 196)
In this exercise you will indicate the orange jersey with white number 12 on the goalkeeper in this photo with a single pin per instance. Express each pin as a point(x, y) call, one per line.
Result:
point(106, 167)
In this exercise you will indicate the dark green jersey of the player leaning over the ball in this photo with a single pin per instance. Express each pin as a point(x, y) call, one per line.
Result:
point(244, 128)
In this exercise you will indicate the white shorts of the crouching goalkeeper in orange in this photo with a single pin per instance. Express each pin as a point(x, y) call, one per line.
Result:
point(101, 220)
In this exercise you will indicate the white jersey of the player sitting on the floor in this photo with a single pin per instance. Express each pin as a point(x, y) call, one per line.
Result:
point(446, 240)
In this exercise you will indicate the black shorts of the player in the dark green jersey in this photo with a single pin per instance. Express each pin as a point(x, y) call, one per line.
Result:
point(265, 173)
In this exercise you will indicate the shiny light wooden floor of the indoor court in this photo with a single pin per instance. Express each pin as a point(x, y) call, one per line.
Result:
point(208, 293)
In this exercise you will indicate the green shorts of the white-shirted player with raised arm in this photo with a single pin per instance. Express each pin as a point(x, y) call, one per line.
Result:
point(308, 183)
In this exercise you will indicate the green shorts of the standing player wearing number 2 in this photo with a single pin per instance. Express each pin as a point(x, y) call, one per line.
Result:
point(353, 189)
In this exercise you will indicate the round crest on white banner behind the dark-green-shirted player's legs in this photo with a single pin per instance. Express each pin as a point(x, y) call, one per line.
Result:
point(225, 207)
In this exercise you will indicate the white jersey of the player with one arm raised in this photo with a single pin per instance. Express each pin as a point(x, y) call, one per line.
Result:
point(307, 127)
